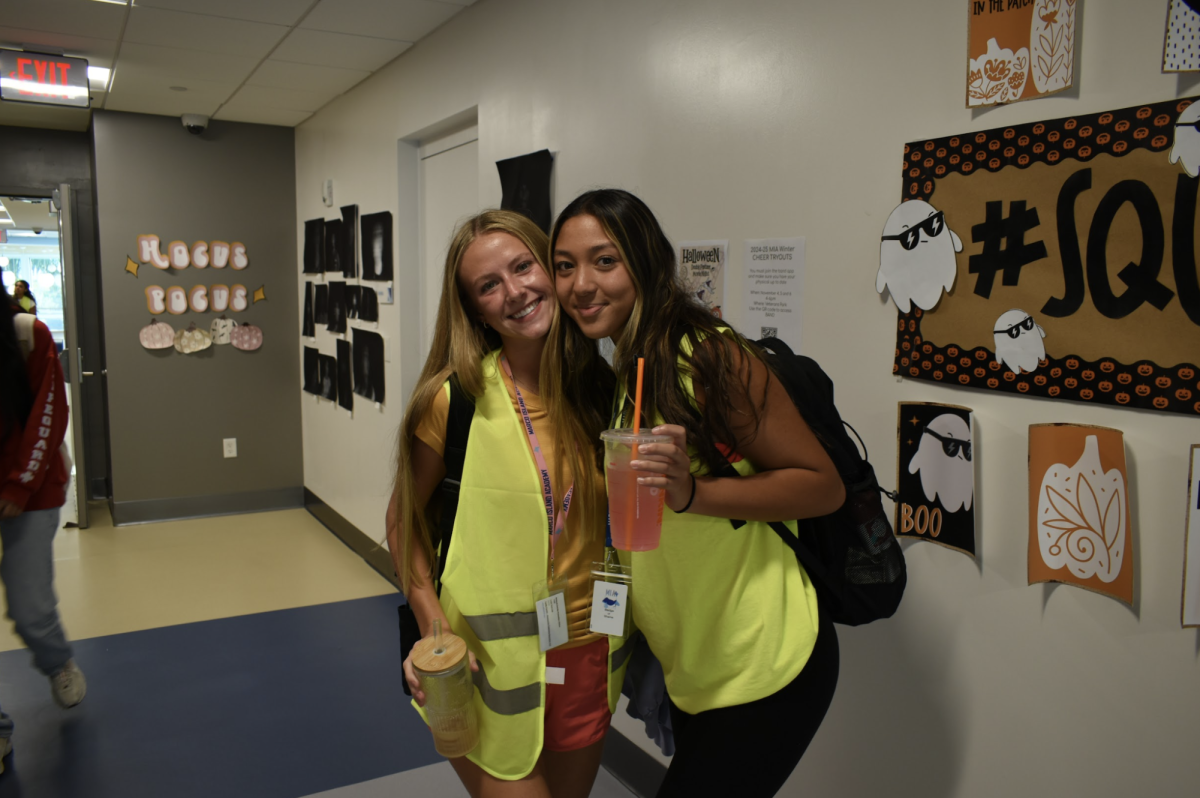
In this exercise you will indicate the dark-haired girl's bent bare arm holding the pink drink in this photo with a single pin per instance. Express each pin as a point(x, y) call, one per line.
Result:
point(796, 478)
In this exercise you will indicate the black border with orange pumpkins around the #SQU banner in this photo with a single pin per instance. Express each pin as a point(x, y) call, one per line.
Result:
point(1141, 385)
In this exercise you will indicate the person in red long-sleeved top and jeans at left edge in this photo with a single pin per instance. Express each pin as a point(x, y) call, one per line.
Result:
point(34, 478)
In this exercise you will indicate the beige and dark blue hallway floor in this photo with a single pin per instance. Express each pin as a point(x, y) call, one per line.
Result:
point(239, 657)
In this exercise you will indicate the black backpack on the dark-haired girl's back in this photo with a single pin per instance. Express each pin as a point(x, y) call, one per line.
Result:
point(853, 556)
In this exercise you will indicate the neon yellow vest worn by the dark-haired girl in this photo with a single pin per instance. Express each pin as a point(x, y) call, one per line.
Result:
point(730, 614)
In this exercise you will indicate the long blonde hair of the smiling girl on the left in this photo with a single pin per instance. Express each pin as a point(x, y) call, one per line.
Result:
point(460, 344)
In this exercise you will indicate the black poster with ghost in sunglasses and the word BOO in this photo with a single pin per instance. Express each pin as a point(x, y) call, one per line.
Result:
point(937, 476)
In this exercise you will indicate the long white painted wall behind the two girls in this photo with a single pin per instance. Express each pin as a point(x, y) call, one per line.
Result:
point(772, 118)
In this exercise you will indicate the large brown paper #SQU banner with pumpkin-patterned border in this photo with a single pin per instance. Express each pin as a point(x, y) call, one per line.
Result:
point(1077, 278)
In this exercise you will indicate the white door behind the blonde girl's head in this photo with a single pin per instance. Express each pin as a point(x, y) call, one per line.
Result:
point(449, 179)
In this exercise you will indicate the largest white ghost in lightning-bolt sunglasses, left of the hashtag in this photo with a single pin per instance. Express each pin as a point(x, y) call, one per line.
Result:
point(917, 256)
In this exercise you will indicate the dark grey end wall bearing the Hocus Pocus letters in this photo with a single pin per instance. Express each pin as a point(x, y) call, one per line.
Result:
point(170, 412)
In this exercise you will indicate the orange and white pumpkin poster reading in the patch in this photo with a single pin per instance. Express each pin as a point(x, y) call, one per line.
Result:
point(1019, 50)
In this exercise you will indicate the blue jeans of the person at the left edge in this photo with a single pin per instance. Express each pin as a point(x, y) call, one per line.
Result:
point(28, 572)
